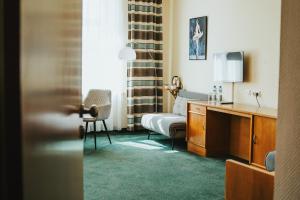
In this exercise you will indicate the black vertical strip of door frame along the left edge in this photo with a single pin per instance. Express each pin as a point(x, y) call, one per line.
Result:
point(10, 109)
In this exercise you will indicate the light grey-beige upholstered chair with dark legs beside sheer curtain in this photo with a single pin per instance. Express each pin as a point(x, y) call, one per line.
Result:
point(102, 99)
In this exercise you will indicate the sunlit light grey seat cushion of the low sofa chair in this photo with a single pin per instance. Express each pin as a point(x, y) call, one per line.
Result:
point(162, 123)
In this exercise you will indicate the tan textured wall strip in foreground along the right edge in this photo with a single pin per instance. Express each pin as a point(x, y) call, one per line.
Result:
point(288, 137)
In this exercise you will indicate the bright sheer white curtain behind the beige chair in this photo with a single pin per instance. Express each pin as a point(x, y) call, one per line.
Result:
point(104, 33)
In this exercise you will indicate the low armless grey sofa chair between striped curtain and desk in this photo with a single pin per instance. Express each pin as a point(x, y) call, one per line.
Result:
point(173, 124)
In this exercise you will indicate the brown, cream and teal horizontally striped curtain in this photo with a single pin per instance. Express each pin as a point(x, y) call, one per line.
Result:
point(144, 75)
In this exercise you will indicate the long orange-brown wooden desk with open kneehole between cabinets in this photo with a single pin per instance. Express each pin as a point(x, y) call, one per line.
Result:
point(243, 131)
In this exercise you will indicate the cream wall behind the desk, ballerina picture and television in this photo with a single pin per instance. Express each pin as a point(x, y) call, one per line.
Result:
point(233, 25)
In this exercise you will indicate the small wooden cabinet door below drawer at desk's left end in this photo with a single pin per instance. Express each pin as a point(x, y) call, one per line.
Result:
point(196, 129)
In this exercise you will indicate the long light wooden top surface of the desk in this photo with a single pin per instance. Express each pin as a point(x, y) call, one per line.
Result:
point(242, 108)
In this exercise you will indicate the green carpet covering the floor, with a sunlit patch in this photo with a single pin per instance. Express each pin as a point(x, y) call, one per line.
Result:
point(136, 168)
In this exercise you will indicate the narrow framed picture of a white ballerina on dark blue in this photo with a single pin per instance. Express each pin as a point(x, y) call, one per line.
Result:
point(198, 38)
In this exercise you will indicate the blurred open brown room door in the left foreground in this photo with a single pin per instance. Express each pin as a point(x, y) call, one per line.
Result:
point(51, 92)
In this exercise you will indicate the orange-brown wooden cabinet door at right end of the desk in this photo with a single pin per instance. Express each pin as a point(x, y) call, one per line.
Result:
point(264, 139)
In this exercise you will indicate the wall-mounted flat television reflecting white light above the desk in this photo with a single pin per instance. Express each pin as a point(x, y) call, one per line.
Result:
point(228, 67)
